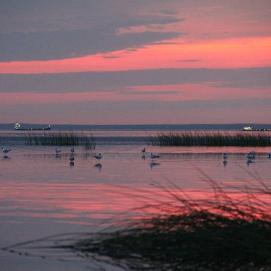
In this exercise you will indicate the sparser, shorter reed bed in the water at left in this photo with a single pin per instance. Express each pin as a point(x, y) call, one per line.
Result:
point(60, 139)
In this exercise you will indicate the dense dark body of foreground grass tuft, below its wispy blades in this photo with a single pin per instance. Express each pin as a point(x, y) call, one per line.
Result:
point(217, 241)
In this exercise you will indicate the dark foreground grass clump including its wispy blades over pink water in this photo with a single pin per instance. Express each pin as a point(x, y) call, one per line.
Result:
point(223, 232)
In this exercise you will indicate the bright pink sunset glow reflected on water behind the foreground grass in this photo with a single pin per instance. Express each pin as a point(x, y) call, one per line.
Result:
point(84, 202)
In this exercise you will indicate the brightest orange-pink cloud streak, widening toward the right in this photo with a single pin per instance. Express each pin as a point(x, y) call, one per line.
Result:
point(228, 53)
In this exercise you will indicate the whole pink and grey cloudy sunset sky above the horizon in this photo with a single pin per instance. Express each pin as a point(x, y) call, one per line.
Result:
point(135, 61)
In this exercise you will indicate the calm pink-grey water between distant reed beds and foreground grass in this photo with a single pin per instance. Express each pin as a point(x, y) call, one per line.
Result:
point(42, 195)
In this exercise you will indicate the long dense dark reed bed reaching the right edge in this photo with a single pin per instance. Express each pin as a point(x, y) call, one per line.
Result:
point(253, 139)
